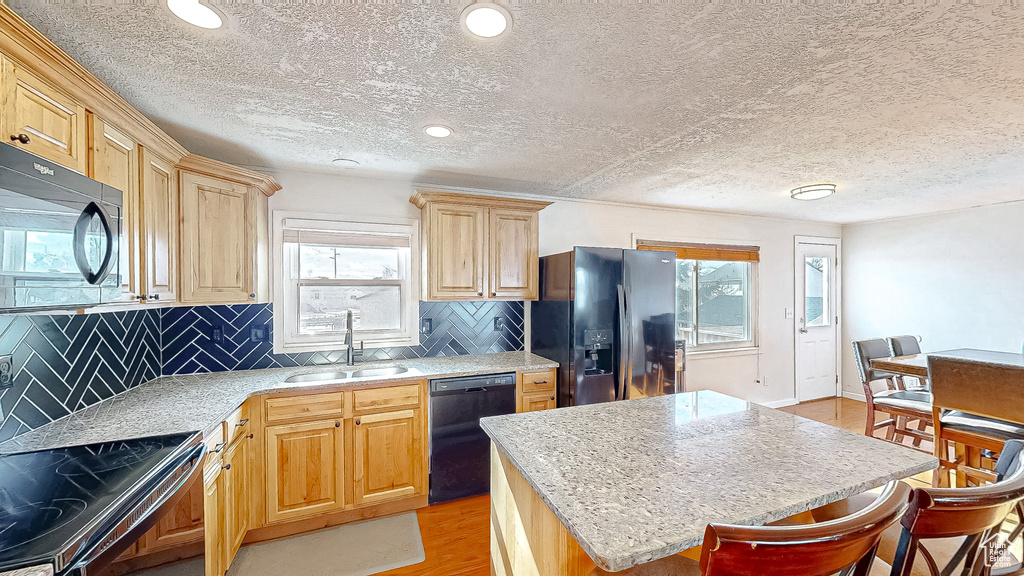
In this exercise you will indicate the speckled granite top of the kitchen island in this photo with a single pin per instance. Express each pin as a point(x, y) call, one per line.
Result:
point(641, 480)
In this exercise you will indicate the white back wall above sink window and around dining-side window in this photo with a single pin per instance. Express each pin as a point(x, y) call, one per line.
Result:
point(569, 224)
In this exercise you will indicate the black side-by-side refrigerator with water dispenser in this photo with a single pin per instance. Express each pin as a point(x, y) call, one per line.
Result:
point(609, 317)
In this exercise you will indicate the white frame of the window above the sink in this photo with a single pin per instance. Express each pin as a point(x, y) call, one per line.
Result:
point(286, 339)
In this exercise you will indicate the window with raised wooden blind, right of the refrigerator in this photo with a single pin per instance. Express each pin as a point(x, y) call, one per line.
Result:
point(715, 294)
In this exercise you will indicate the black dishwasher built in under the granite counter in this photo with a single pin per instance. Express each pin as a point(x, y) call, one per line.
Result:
point(460, 450)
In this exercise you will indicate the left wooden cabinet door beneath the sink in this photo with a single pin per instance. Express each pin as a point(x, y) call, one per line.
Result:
point(306, 469)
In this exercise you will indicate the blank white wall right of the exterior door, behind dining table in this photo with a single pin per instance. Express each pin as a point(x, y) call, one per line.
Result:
point(956, 279)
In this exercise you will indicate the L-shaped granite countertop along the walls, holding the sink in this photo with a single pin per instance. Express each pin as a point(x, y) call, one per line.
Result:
point(200, 402)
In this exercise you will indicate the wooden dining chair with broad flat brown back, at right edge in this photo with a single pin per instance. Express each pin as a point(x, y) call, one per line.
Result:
point(978, 406)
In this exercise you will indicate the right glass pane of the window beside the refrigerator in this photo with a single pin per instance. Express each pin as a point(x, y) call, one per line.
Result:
point(723, 312)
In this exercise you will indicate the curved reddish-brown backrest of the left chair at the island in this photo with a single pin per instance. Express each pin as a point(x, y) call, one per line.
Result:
point(816, 550)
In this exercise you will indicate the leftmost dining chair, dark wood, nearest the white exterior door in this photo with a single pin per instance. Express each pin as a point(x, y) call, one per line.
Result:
point(903, 406)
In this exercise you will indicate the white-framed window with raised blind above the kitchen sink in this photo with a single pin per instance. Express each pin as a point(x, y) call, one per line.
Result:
point(332, 269)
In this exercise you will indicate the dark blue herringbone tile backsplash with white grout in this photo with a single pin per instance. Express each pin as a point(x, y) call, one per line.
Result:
point(64, 363)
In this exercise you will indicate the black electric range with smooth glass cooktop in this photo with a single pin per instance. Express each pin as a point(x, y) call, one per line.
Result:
point(78, 509)
